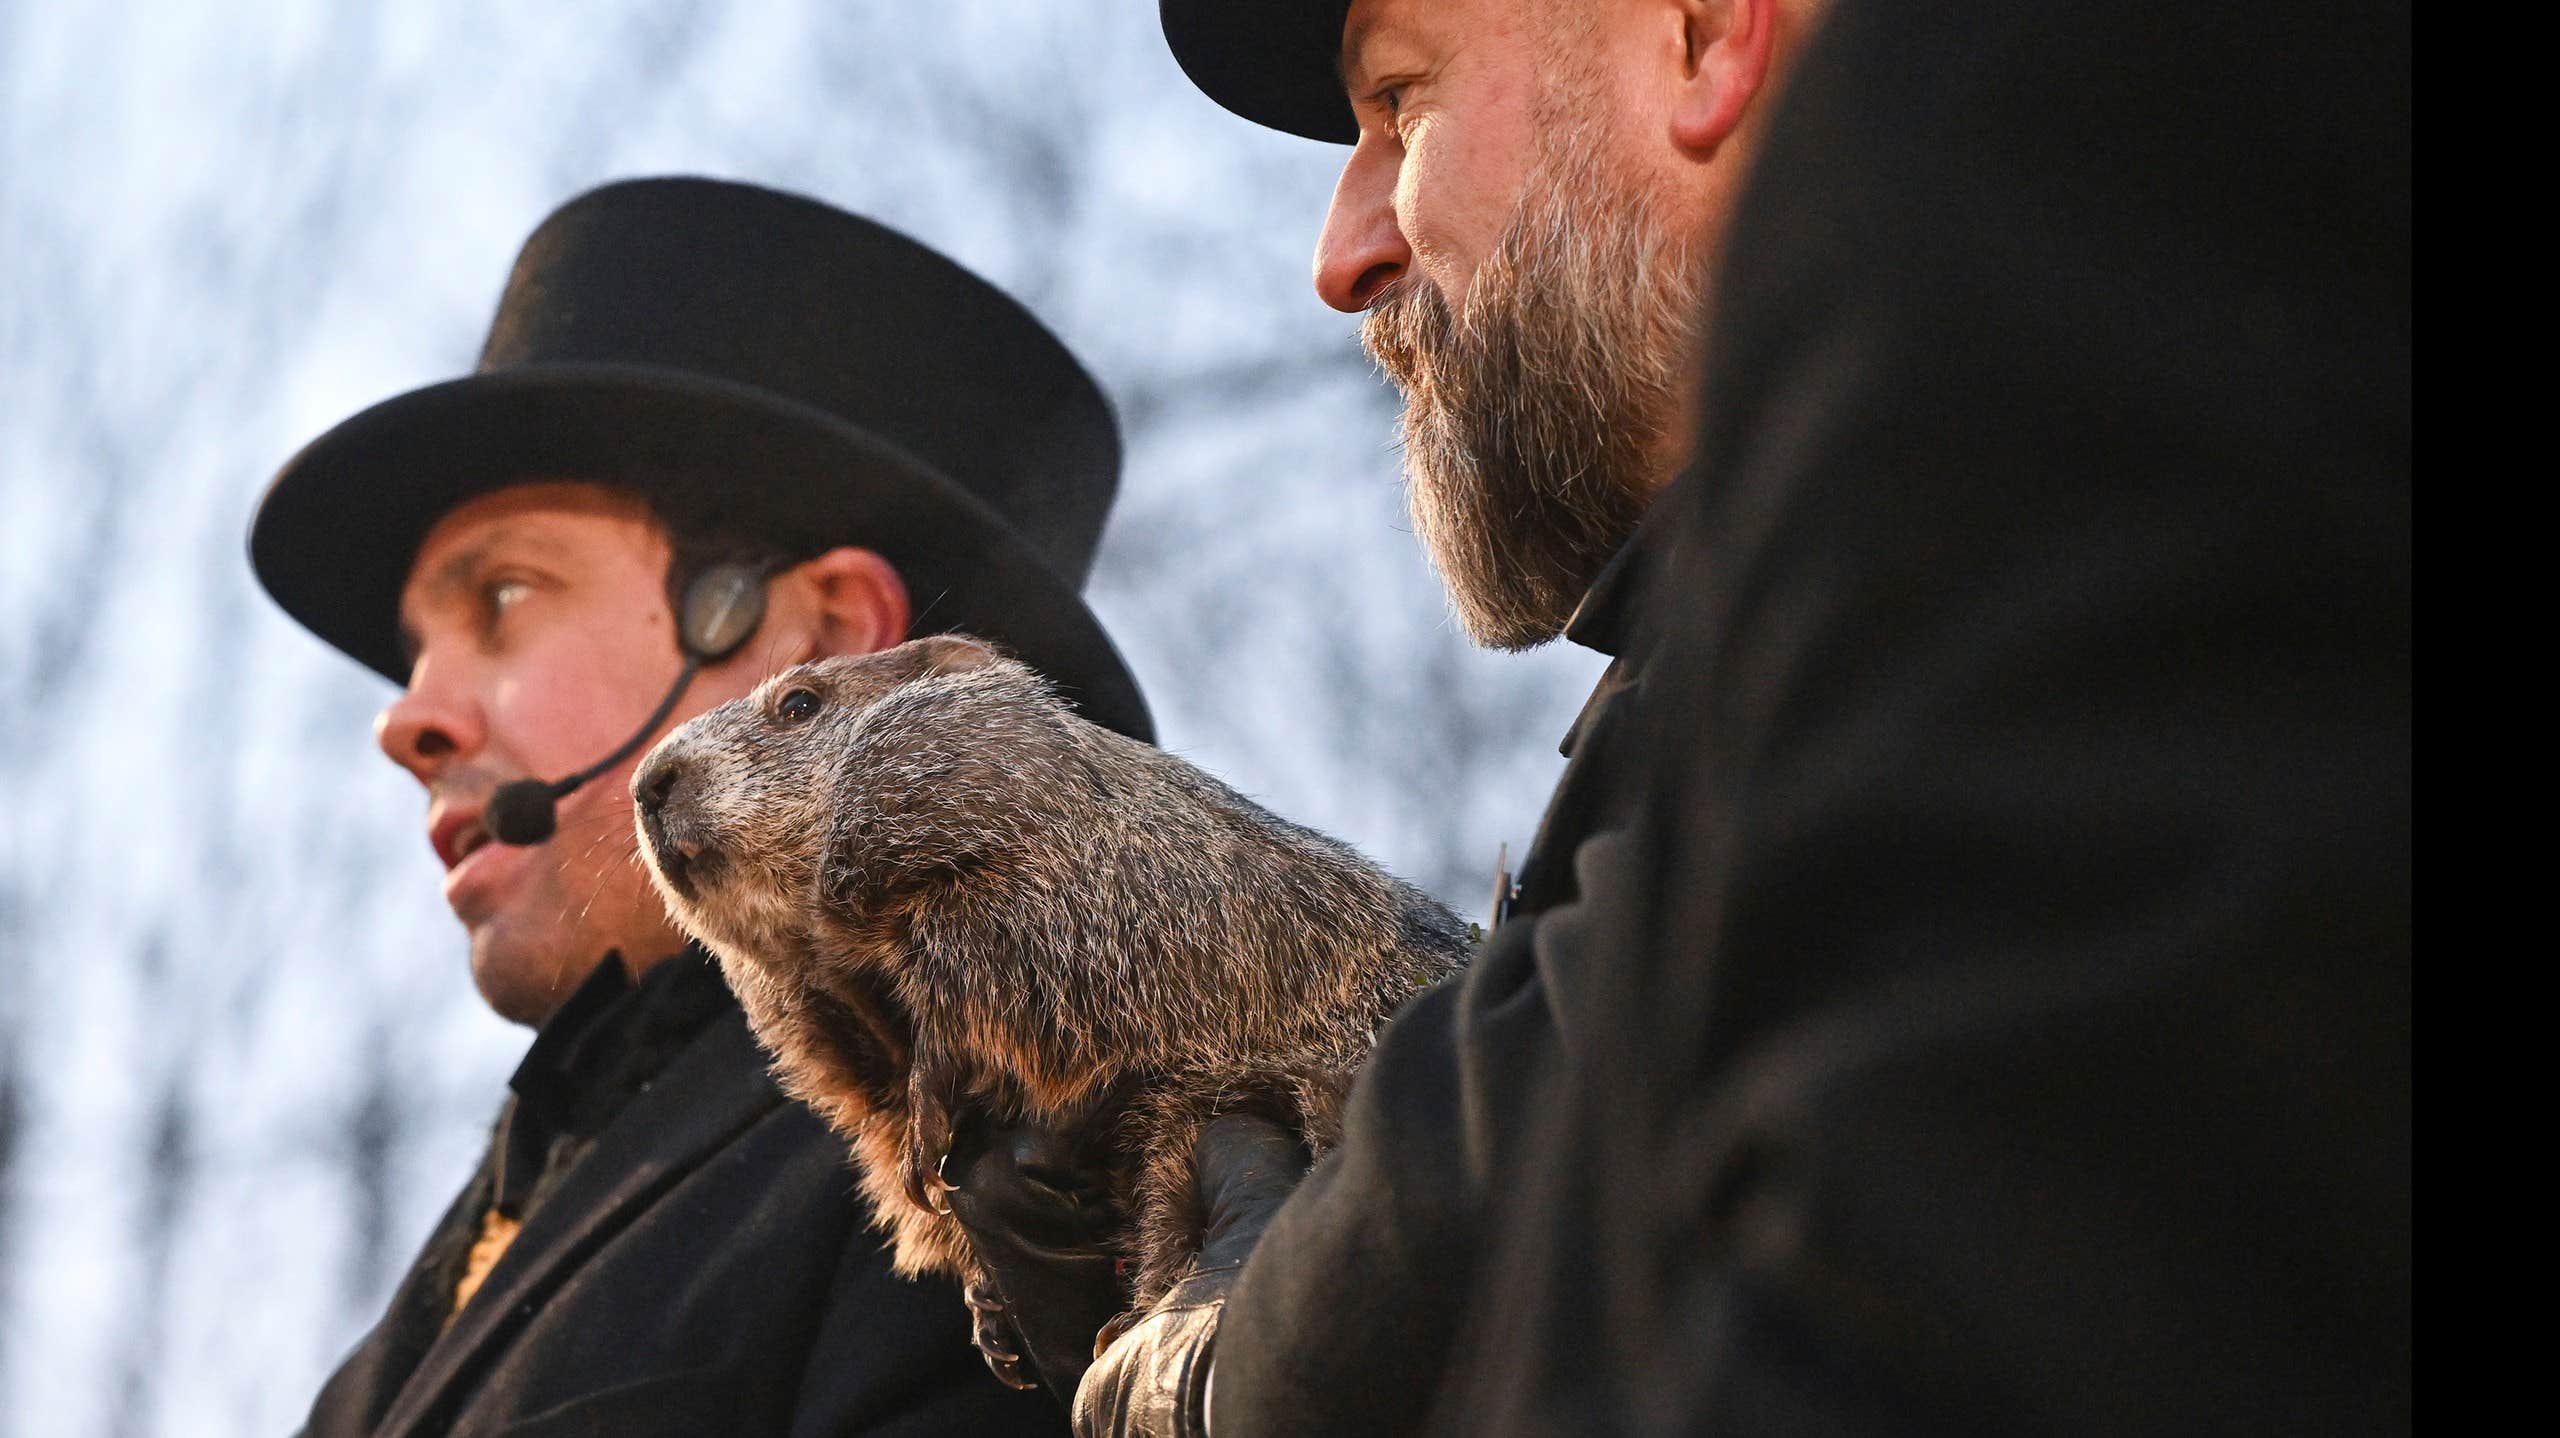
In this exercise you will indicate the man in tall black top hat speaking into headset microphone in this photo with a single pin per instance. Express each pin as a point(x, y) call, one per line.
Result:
point(682, 375)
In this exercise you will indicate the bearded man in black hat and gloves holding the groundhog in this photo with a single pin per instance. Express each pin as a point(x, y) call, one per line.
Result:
point(1527, 219)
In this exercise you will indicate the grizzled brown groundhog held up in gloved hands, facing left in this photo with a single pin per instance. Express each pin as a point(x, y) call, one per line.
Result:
point(936, 887)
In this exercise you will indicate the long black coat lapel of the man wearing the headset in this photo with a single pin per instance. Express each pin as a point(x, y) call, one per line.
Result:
point(700, 1104)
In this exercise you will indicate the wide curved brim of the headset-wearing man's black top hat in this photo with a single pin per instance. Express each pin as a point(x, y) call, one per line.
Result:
point(342, 523)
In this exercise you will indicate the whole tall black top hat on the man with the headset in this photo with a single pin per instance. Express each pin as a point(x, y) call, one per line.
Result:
point(805, 375)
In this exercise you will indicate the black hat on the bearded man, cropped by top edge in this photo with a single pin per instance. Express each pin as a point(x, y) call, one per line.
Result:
point(1276, 63)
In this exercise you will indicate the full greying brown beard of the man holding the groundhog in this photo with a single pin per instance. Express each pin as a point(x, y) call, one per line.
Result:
point(1537, 418)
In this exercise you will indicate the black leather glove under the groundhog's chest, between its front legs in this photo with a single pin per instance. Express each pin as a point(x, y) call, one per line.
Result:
point(1038, 1212)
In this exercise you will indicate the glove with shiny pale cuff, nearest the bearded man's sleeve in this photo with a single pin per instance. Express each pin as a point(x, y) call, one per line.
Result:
point(1153, 1380)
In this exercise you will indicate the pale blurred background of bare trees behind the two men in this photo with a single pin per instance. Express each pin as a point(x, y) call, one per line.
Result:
point(242, 1066)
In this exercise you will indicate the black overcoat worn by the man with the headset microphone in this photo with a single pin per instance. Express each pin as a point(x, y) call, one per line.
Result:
point(705, 1270)
